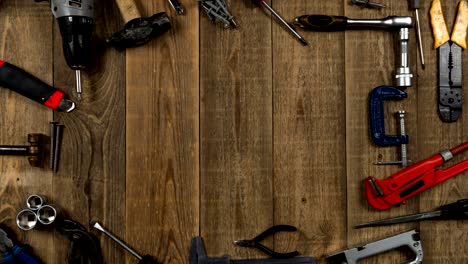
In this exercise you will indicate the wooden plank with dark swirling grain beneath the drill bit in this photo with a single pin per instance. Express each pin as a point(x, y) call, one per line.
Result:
point(91, 182)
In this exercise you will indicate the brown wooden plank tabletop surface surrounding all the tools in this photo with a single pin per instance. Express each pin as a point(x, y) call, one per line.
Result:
point(223, 133)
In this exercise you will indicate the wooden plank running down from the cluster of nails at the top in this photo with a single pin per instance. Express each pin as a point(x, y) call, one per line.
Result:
point(236, 130)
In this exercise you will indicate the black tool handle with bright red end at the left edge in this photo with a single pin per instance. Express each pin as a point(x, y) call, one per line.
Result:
point(18, 80)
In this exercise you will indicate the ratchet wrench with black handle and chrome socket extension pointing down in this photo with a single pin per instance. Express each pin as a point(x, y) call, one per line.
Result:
point(325, 23)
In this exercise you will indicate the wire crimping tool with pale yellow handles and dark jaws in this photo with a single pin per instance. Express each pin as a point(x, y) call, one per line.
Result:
point(450, 59)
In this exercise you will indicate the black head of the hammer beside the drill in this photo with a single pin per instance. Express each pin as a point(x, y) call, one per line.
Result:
point(139, 31)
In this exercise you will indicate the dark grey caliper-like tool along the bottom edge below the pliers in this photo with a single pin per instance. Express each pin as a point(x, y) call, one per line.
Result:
point(198, 256)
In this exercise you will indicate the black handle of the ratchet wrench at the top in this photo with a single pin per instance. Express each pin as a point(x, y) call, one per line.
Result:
point(322, 23)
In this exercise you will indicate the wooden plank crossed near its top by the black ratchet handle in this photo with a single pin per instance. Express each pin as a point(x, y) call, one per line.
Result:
point(309, 133)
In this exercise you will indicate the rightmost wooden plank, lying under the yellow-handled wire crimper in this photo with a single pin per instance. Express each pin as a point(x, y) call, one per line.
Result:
point(443, 241)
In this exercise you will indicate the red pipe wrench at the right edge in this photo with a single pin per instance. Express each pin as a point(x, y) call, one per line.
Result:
point(414, 179)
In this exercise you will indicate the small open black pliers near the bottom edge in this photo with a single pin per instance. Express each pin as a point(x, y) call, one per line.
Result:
point(255, 242)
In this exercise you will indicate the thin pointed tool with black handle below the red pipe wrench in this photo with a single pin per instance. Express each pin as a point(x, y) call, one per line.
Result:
point(454, 211)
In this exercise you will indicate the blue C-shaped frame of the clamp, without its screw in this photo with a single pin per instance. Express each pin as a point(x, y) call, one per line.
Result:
point(377, 116)
